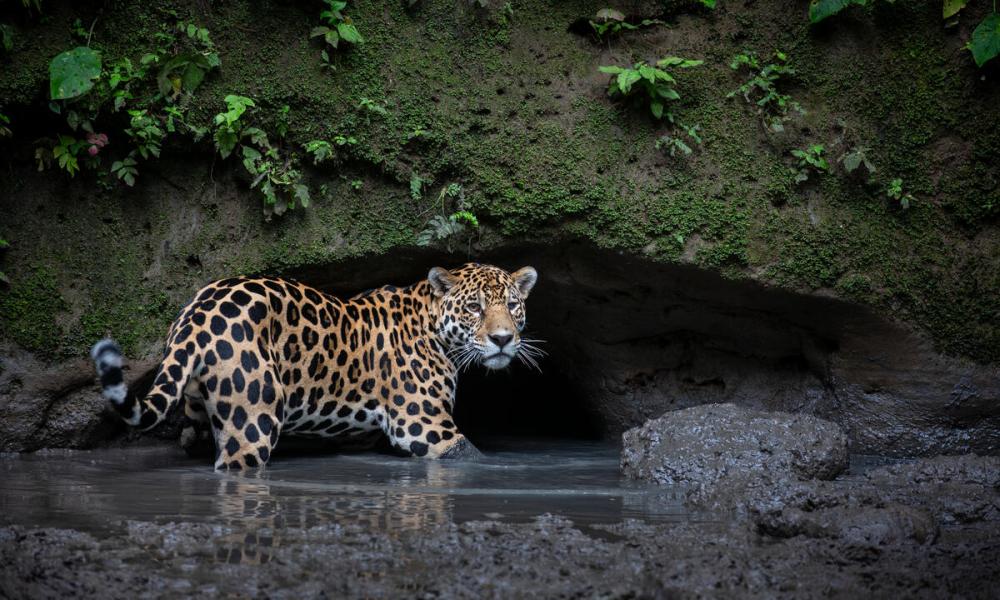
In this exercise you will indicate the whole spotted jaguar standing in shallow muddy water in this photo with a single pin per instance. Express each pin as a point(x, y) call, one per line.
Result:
point(257, 358)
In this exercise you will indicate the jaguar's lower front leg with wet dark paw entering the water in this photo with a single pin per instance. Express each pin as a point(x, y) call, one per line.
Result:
point(422, 426)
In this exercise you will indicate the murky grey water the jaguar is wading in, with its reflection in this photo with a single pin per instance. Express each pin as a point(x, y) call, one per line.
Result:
point(97, 491)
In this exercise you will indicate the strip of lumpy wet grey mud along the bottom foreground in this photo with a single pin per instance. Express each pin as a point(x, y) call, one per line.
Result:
point(549, 557)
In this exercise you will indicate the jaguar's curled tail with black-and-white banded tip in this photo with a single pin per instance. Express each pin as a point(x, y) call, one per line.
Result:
point(168, 387)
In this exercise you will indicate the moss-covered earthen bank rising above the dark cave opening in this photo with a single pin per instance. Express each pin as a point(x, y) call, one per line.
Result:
point(515, 111)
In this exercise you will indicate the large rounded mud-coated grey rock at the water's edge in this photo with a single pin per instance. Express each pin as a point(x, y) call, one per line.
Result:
point(719, 449)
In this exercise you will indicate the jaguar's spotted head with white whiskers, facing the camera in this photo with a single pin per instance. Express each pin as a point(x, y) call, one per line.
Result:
point(481, 314)
